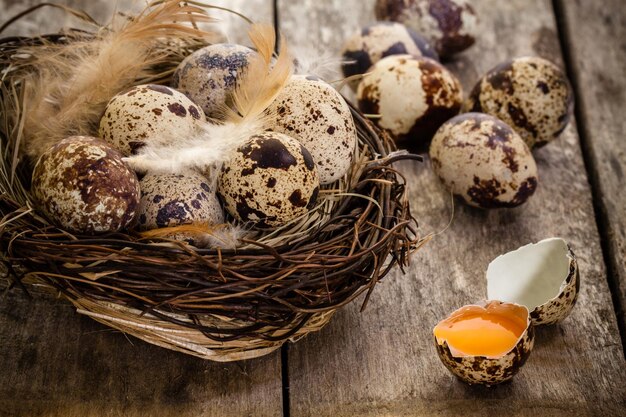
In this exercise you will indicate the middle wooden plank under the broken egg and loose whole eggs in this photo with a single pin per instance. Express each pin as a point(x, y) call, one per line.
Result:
point(383, 361)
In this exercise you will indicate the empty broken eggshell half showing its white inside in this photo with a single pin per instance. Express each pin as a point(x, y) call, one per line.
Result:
point(542, 276)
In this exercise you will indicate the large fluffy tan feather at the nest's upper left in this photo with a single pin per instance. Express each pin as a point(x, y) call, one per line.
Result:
point(74, 81)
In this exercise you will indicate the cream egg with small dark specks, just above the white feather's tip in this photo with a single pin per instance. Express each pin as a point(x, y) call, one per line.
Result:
point(148, 113)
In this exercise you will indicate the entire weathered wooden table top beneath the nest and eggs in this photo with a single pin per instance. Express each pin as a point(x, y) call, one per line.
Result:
point(382, 362)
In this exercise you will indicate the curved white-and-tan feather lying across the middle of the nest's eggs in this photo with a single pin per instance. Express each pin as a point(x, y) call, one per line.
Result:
point(256, 89)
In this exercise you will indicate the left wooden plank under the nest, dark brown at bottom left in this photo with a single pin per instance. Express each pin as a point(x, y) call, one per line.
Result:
point(54, 362)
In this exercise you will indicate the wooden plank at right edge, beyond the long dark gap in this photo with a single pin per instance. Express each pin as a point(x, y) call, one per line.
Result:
point(592, 32)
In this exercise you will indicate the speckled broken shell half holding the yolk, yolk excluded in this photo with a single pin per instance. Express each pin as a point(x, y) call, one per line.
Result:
point(486, 370)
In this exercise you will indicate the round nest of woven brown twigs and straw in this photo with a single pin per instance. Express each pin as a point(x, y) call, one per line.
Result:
point(218, 304)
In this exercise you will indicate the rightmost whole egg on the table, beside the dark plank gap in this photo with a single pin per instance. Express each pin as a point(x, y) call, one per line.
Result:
point(531, 94)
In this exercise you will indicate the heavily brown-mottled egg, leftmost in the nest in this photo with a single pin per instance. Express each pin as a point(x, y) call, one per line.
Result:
point(82, 185)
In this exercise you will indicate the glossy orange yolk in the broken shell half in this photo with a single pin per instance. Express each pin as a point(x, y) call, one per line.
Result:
point(480, 333)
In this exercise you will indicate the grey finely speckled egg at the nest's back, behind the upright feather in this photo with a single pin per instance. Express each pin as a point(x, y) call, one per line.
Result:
point(209, 75)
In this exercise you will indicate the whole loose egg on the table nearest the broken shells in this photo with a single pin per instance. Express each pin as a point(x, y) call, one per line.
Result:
point(484, 161)
